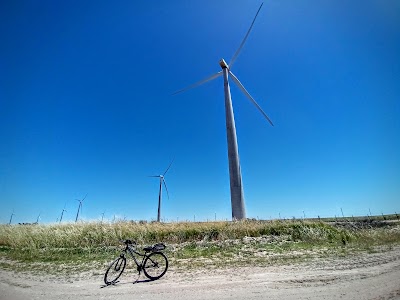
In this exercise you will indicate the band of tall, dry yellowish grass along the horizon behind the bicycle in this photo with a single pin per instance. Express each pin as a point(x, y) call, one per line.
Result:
point(95, 235)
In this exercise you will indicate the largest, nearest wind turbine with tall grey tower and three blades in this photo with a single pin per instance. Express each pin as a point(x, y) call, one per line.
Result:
point(237, 197)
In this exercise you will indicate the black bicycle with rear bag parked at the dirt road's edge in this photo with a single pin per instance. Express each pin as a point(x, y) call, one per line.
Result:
point(154, 263)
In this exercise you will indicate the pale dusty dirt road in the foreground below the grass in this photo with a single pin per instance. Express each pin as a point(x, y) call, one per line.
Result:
point(367, 276)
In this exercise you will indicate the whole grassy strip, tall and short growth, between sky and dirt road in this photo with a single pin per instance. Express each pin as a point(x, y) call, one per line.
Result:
point(64, 248)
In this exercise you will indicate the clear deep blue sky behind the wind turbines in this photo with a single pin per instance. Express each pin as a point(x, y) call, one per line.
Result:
point(86, 107)
